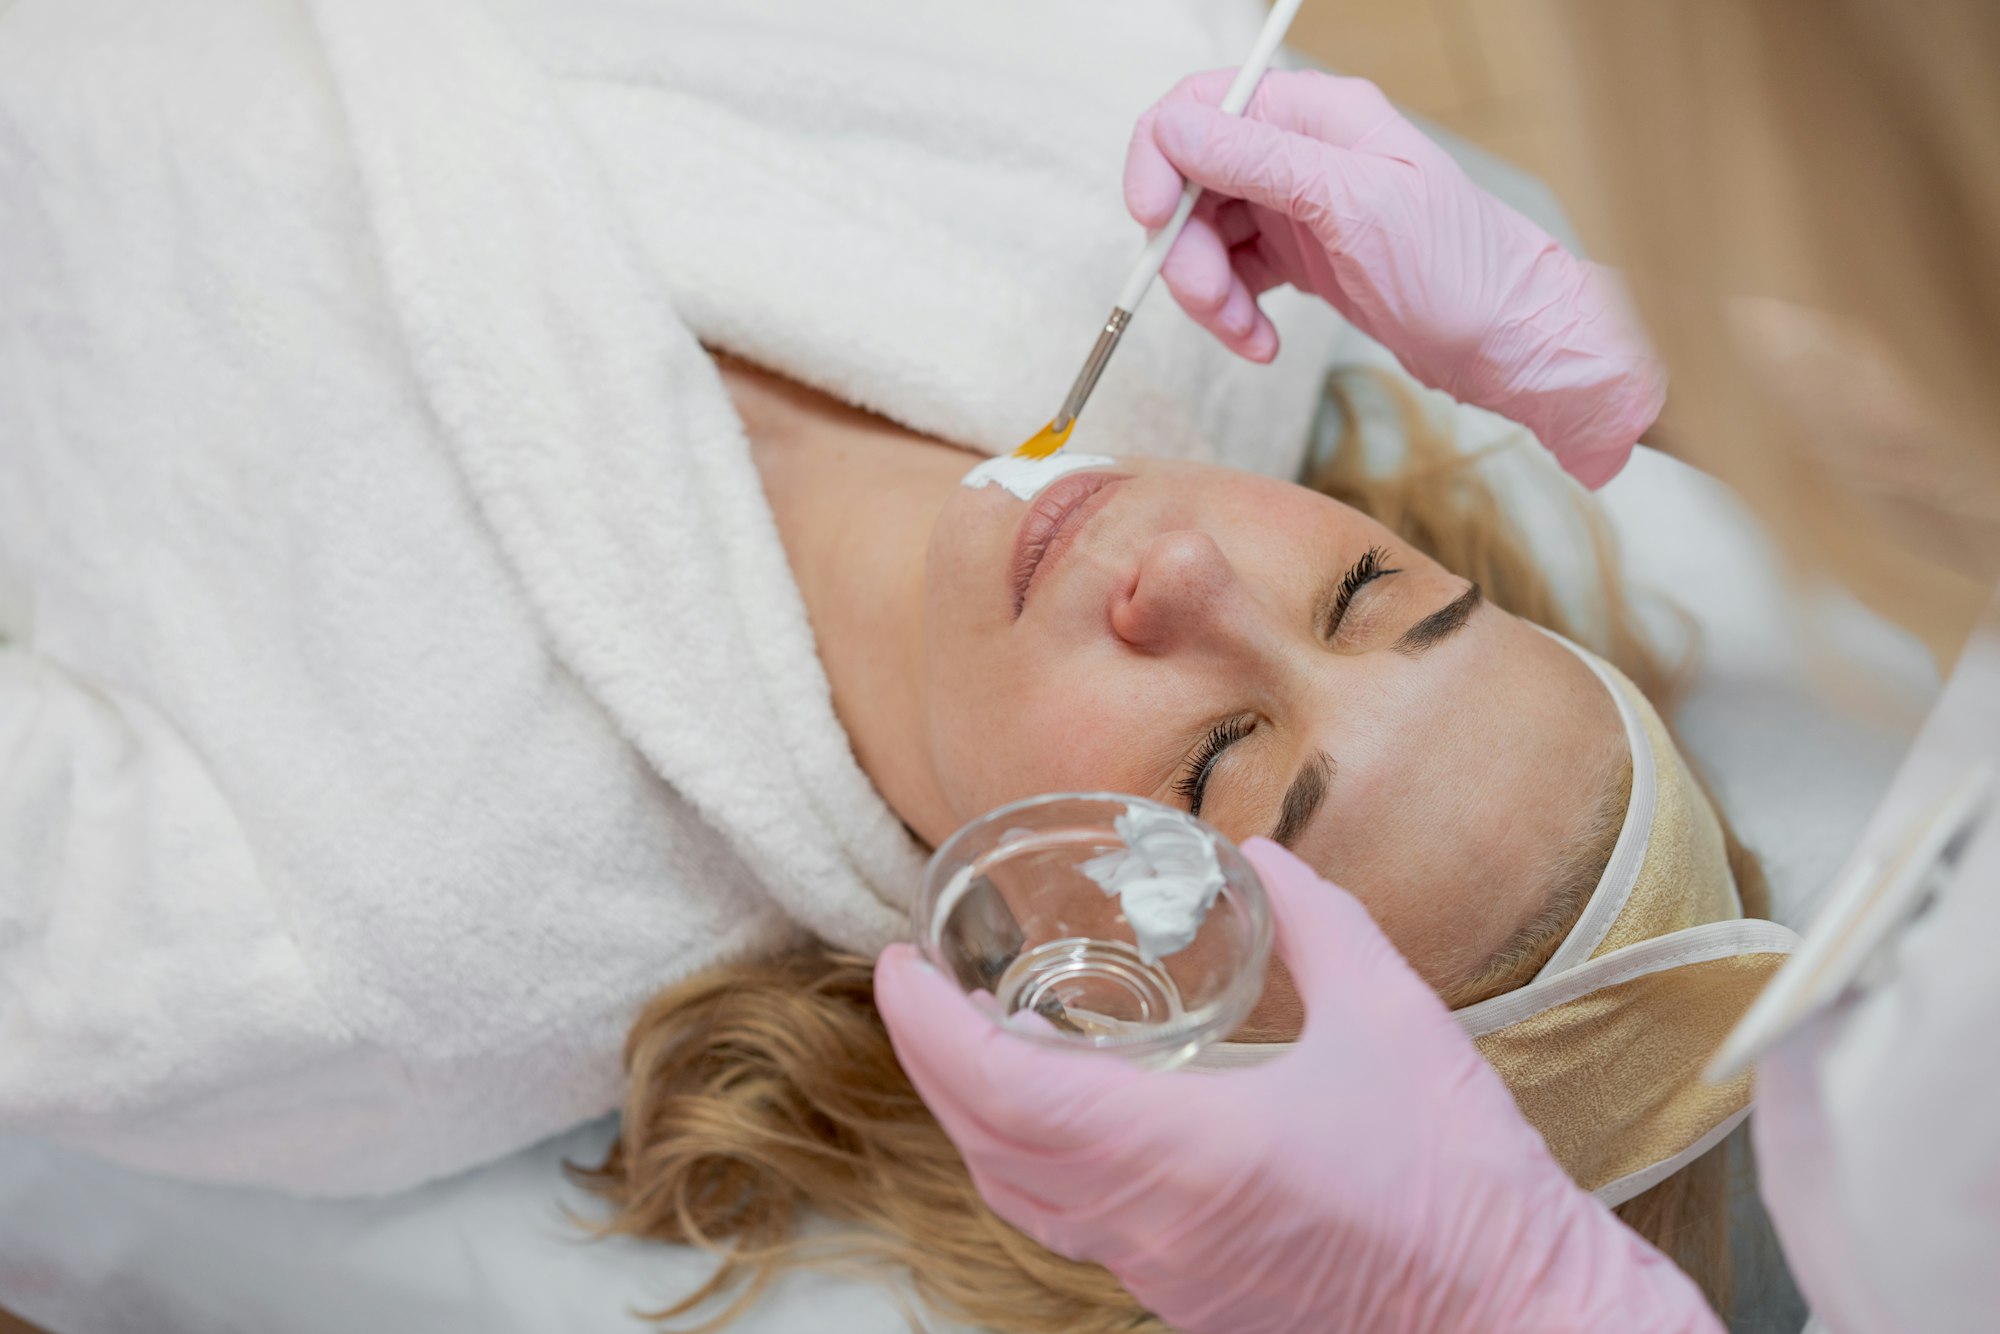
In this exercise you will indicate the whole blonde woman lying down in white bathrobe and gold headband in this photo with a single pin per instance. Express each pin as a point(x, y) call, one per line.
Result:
point(421, 649)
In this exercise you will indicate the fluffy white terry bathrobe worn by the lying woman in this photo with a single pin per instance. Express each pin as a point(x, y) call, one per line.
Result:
point(403, 677)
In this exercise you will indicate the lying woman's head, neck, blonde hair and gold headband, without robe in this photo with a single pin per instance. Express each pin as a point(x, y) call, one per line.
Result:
point(1279, 661)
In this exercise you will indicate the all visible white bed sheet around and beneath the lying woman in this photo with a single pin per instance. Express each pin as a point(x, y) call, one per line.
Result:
point(89, 1249)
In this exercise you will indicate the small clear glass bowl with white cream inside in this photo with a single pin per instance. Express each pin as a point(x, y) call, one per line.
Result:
point(1085, 909)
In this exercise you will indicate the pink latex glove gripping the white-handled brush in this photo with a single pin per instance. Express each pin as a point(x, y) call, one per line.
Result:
point(1323, 185)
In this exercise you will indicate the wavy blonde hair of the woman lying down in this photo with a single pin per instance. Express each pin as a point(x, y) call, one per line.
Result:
point(763, 1089)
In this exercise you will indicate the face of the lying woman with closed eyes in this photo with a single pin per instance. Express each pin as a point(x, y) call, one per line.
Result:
point(1277, 663)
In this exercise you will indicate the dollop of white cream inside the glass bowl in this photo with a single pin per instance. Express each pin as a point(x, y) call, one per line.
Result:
point(1167, 879)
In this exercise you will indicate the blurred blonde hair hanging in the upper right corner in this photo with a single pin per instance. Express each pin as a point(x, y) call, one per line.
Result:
point(1807, 201)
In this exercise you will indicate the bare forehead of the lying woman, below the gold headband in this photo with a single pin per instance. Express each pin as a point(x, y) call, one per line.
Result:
point(1461, 787)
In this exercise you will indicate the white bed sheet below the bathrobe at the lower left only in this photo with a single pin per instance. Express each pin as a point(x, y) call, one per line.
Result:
point(91, 1249)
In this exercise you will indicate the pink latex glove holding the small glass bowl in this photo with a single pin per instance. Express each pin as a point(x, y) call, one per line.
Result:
point(1373, 1179)
